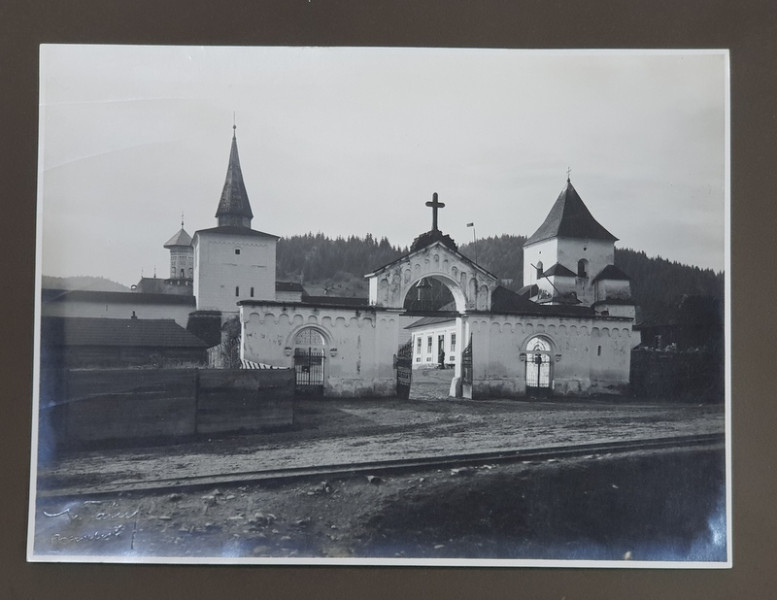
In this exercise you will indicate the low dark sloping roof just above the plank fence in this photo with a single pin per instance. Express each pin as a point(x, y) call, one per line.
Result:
point(89, 331)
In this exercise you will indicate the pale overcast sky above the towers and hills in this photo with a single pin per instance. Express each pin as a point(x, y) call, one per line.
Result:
point(356, 140)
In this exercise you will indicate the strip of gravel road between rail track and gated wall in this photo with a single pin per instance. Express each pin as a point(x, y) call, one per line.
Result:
point(344, 431)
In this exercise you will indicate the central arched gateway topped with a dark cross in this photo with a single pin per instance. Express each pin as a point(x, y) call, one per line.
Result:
point(434, 255)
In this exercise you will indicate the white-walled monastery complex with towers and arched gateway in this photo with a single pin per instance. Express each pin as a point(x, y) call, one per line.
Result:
point(569, 331)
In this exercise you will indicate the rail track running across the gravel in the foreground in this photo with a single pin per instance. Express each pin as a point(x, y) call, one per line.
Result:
point(389, 466)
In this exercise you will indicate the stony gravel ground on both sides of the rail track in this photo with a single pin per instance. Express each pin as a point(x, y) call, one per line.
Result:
point(540, 509)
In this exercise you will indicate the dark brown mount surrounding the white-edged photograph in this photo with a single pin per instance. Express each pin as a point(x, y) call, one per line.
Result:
point(744, 29)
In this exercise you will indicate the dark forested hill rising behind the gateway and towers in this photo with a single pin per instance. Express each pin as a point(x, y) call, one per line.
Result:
point(338, 266)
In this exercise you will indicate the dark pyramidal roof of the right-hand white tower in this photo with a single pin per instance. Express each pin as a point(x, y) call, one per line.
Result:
point(570, 218)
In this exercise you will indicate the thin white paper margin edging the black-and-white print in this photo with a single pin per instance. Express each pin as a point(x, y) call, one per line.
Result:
point(32, 556)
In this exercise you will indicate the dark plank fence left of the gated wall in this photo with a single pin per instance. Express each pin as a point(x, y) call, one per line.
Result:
point(101, 405)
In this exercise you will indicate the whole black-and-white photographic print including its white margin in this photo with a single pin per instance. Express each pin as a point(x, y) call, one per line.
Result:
point(382, 306)
